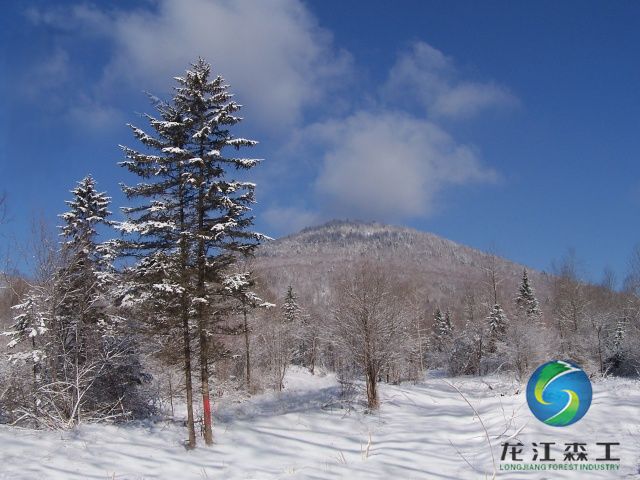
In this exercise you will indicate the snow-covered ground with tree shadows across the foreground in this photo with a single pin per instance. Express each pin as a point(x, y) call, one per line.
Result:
point(422, 431)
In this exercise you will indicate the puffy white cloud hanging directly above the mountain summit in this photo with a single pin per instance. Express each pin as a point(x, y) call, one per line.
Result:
point(386, 165)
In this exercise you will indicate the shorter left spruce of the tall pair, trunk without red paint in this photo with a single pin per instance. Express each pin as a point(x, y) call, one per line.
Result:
point(162, 243)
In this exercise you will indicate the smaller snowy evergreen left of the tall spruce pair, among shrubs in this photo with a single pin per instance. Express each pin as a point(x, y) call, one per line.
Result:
point(85, 329)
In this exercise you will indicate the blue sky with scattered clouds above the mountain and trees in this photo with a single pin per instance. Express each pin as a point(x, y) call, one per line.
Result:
point(502, 125)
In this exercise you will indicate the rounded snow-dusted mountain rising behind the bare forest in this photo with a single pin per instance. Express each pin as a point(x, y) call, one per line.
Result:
point(443, 270)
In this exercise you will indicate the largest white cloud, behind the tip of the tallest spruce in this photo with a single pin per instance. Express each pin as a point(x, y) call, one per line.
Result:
point(273, 53)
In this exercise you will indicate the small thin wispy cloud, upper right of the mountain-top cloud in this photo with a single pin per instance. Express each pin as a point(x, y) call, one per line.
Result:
point(425, 74)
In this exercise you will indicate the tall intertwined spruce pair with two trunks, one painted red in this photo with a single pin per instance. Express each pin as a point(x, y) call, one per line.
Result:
point(195, 220)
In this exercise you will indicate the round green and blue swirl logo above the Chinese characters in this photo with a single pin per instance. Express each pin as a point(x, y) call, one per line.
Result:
point(559, 393)
